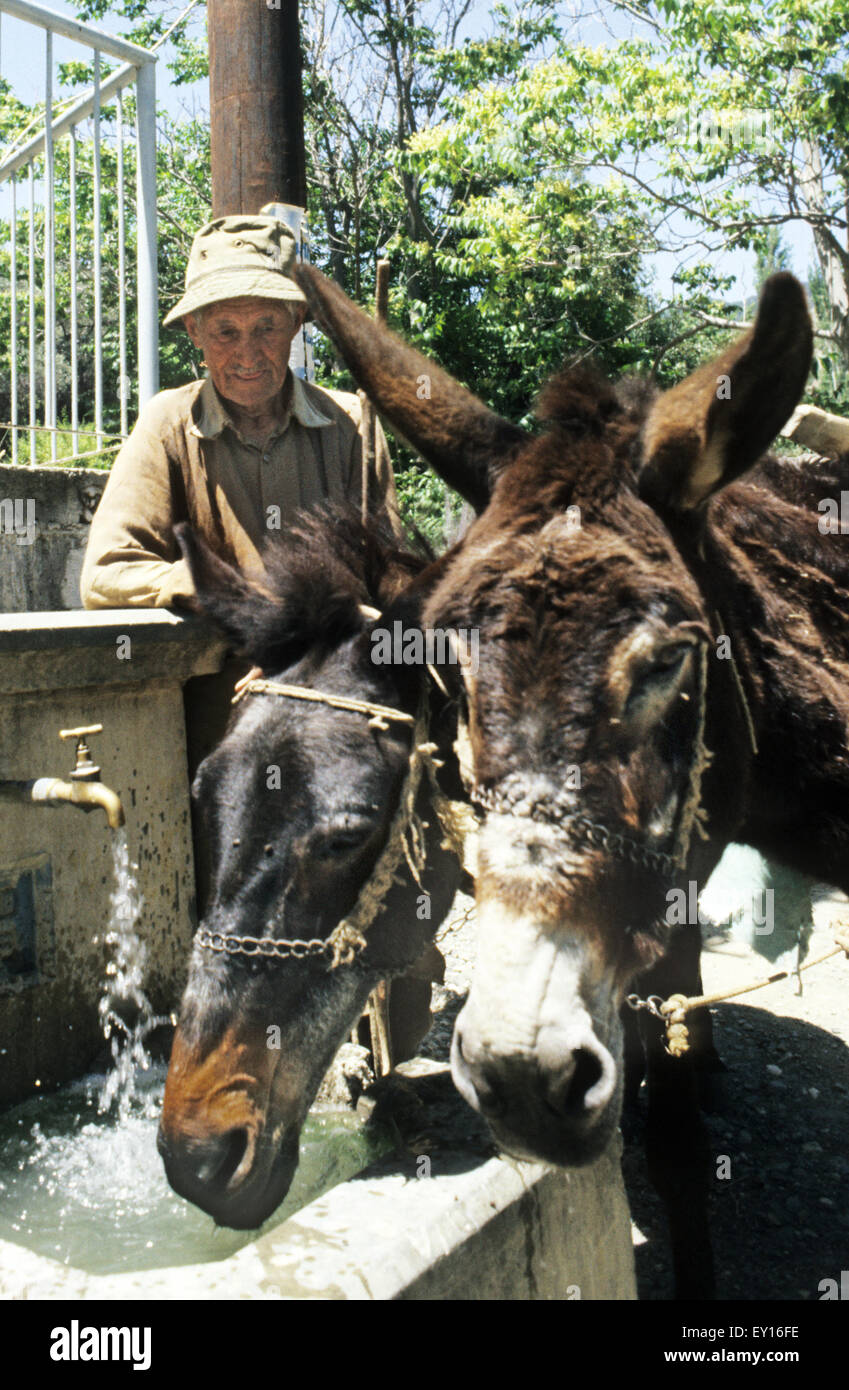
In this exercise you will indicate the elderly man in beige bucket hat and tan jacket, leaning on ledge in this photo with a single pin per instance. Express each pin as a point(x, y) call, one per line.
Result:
point(238, 452)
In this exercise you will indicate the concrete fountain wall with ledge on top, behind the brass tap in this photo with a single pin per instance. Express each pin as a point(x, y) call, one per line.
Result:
point(60, 671)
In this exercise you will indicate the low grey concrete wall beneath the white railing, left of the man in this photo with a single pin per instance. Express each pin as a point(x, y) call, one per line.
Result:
point(40, 568)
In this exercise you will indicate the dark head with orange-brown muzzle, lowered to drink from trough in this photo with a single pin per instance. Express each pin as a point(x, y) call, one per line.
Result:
point(309, 803)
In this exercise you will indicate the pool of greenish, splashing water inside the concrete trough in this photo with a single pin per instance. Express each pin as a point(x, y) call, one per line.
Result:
point(90, 1189)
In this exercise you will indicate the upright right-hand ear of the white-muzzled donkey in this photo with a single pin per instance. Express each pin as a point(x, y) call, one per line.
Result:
point(709, 429)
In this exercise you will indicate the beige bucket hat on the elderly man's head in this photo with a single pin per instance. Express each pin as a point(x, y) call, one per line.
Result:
point(237, 256)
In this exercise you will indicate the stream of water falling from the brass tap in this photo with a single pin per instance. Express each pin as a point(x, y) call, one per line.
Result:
point(126, 1014)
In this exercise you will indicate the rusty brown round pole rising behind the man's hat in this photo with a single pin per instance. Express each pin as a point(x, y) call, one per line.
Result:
point(256, 105)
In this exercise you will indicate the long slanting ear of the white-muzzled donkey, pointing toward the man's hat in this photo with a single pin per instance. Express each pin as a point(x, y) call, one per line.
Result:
point(466, 443)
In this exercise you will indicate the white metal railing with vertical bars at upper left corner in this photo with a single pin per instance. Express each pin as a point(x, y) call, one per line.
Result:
point(33, 162)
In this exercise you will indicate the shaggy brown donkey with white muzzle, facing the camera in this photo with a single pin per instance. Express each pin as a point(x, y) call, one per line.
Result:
point(663, 668)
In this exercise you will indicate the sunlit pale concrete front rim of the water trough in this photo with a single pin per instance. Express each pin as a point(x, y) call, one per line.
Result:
point(470, 1231)
